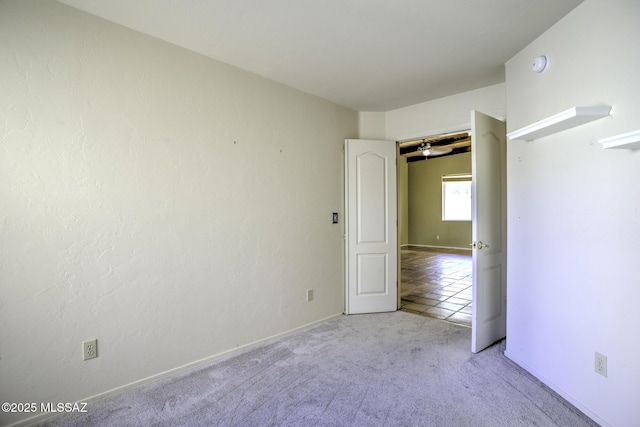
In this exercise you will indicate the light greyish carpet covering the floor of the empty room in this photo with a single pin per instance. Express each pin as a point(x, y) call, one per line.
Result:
point(392, 369)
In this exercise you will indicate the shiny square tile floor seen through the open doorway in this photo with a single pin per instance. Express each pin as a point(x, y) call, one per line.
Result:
point(437, 284)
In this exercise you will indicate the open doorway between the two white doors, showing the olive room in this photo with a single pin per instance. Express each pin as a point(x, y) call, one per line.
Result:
point(435, 259)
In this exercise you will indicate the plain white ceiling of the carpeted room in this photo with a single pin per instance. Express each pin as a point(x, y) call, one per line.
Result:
point(368, 55)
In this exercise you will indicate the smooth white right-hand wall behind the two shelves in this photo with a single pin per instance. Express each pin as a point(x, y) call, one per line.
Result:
point(574, 219)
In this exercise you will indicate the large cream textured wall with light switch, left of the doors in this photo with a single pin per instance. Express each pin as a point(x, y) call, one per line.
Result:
point(167, 204)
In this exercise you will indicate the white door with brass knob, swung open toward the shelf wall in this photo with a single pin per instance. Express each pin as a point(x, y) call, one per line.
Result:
point(488, 164)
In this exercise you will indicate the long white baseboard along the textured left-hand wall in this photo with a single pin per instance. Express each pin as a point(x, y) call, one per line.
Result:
point(180, 369)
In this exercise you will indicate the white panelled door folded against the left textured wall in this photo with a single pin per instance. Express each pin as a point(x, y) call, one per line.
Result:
point(371, 226)
